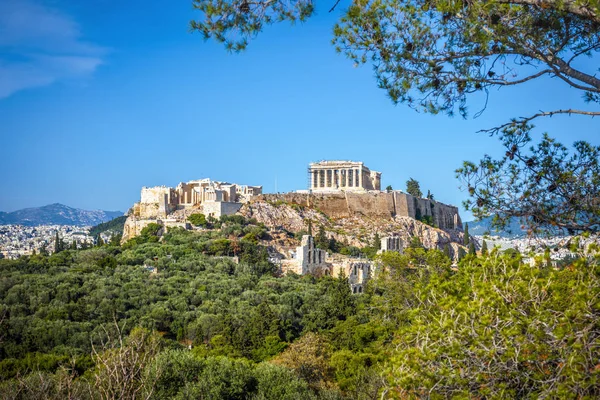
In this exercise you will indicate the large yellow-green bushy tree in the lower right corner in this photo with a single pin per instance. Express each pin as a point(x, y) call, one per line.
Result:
point(499, 348)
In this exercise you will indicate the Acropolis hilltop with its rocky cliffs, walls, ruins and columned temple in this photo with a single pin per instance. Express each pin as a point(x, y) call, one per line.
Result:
point(343, 196)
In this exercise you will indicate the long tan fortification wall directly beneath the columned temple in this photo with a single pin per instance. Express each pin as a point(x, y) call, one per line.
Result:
point(372, 204)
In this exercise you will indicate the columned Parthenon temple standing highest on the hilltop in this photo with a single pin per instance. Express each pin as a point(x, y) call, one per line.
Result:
point(328, 176)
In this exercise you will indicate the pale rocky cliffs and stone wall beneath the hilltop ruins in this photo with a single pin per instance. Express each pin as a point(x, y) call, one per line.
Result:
point(350, 218)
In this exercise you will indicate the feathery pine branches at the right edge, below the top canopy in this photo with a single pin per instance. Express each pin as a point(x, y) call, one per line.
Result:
point(546, 186)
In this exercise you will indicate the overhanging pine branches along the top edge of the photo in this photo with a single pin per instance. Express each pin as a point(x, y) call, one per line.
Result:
point(431, 54)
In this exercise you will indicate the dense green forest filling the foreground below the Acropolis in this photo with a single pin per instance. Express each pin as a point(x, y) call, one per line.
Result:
point(177, 317)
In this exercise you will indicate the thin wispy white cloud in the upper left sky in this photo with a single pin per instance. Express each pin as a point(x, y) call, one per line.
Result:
point(40, 45)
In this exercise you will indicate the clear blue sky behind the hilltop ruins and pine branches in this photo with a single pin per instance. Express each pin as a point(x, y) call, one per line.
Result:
point(102, 97)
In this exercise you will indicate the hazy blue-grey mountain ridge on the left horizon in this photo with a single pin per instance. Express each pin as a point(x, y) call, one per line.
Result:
point(57, 214)
